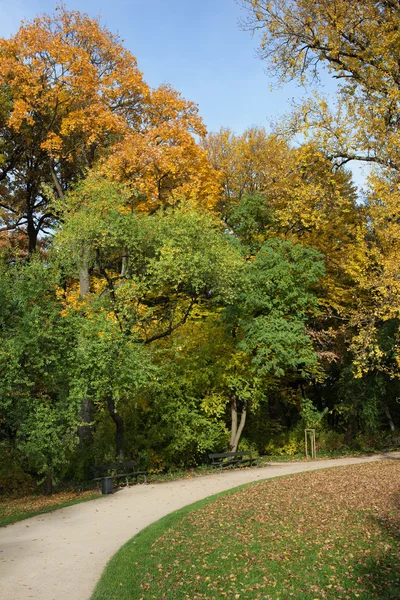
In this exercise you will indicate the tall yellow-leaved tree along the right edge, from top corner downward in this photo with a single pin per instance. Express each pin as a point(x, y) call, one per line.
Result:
point(357, 42)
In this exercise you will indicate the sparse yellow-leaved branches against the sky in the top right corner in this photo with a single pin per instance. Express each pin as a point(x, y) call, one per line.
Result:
point(358, 43)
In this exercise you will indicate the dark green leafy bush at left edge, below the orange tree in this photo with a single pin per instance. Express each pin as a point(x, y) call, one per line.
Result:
point(38, 407)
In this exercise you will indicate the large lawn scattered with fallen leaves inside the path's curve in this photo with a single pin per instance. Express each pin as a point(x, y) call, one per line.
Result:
point(331, 534)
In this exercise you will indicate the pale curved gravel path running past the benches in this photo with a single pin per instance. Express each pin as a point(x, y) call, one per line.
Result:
point(61, 555)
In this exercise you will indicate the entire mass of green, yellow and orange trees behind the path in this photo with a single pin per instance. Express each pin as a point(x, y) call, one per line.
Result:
point(188, 284)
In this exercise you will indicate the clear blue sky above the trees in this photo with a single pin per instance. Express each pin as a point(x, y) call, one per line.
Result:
point(196, 46)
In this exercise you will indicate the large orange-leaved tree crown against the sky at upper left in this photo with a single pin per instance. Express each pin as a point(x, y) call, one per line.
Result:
point(71, 96)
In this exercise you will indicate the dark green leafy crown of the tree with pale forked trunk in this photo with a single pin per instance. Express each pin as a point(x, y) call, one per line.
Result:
point(277, 299)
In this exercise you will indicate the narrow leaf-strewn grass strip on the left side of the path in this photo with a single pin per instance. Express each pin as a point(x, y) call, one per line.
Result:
point(16, 509)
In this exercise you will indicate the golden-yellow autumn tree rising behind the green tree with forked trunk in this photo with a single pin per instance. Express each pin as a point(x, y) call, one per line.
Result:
point(275, 190)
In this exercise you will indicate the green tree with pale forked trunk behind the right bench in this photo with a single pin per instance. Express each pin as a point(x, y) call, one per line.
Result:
point(266, 334)
